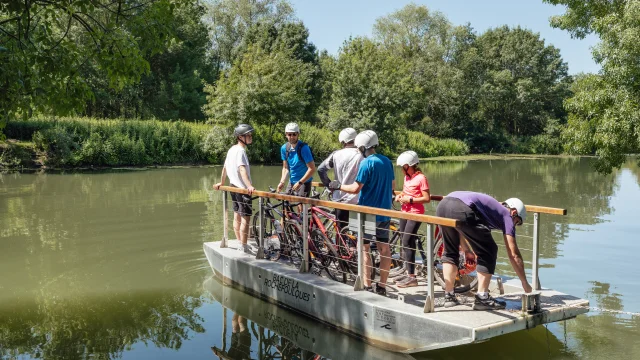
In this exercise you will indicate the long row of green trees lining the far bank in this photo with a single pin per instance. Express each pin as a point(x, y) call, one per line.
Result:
point(228, 61)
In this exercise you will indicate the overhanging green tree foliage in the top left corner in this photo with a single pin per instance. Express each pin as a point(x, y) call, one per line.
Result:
point(44, 45)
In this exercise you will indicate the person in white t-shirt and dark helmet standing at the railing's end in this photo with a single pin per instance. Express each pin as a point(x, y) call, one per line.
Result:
point(236, 167)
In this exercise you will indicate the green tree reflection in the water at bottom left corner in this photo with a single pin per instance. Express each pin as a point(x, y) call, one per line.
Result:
point(97, 327)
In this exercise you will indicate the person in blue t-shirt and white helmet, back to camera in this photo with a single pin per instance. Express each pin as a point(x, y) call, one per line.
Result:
point(375, 183)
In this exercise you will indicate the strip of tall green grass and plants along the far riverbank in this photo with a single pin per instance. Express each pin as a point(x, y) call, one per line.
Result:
point(87, 142)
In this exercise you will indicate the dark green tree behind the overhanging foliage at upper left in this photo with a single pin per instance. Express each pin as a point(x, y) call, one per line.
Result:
point(173, 89)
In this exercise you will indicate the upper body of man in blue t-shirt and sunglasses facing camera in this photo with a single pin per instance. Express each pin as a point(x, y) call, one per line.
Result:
point(297, 163)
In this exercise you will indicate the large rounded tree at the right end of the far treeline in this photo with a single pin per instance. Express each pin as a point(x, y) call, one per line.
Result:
point(524, 81)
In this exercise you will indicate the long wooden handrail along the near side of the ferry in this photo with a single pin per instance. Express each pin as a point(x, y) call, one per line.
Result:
point(350, 207)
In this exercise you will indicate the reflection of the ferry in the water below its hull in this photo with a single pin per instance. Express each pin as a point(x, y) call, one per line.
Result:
point(265, 331)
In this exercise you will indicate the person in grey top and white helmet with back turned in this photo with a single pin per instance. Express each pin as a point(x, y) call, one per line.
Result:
point(345, 163)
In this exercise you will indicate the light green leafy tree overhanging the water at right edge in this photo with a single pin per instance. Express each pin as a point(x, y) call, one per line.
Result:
point(605, 109)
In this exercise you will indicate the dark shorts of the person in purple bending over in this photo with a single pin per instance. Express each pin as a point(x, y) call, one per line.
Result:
point(473, 229)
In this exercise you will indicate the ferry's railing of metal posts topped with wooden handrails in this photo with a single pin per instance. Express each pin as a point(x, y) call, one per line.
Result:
point(429, 220)
